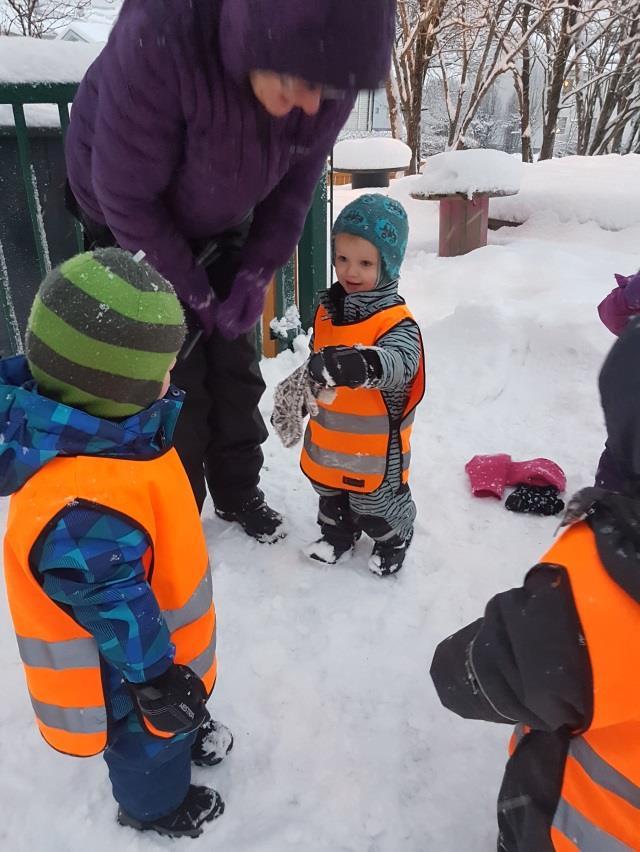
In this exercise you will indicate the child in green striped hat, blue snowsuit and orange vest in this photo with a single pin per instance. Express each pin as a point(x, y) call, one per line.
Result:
point(105, 561)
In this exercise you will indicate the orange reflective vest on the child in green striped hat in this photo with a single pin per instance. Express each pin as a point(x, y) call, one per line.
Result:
point(61, 659)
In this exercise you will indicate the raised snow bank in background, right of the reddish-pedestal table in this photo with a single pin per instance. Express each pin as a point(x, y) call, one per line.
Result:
point(578, 189)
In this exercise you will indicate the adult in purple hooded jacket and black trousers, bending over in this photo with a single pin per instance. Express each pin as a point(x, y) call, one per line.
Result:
point(199, 135)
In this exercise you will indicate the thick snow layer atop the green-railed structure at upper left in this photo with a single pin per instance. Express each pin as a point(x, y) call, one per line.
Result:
point(34, 60)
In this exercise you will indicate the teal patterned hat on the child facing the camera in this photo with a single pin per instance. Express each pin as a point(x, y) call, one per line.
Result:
point(382, 221)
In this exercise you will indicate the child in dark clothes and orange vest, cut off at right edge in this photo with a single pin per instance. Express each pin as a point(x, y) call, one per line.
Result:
point(556, 658)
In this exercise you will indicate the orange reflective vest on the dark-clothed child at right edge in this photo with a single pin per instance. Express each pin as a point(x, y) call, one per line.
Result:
point(599, 806)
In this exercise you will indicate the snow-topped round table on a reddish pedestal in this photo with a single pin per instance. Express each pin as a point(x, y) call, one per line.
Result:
point(463, 182)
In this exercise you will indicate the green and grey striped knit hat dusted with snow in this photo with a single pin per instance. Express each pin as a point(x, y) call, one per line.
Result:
point(102, 333)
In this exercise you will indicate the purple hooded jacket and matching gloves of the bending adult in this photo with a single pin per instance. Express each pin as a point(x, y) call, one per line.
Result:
point(168, 145)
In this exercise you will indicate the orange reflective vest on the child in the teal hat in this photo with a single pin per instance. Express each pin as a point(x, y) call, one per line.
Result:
point(346, 446)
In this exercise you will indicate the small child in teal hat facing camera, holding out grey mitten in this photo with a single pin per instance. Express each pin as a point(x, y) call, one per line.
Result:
point(367, 351)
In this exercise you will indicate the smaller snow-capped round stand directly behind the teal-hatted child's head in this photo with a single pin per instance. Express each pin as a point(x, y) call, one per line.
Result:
point(371, 160)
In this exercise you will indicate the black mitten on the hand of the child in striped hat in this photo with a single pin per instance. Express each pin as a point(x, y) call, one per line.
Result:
point(172, 703)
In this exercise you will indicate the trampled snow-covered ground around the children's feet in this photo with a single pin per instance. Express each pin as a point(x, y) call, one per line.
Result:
point(341, 743)
